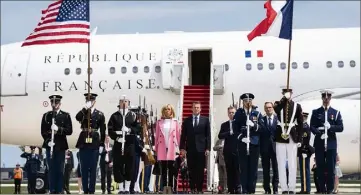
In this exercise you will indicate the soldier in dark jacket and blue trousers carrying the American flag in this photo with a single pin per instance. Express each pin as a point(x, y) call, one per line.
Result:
point(90, 141)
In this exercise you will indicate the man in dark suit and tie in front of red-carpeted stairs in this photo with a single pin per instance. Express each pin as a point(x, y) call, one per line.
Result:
point(196, 141)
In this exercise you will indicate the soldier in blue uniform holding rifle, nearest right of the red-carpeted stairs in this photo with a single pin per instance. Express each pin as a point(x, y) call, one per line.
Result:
point(248, 123)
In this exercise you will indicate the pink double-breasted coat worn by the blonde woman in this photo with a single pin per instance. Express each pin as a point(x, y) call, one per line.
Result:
point(173, 140)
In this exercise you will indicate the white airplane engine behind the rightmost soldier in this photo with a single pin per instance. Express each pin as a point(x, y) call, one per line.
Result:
point(348, 140)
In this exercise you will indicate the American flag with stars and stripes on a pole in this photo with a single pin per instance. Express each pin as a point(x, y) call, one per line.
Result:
point(64, 21)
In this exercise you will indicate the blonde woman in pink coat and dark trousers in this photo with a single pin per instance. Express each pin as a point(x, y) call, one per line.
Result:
point(167, 138)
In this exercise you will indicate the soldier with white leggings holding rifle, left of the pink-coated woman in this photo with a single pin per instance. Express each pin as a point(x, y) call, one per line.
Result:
point(123, 128)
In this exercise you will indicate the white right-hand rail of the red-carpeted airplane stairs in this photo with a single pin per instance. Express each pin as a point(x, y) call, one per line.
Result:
point(211, 120)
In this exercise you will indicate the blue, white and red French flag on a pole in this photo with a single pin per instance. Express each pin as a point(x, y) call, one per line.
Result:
point(278, 21)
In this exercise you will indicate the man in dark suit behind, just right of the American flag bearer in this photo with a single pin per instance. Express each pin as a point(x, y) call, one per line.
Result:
point(106, 165)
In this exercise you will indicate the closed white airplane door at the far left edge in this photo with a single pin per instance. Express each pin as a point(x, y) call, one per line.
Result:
point(13, 77)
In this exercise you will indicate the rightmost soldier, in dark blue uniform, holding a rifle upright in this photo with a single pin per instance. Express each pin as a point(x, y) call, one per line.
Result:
point(326, 119)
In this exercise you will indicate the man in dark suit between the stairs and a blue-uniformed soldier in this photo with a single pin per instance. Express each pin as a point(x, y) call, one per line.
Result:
point(230, 153)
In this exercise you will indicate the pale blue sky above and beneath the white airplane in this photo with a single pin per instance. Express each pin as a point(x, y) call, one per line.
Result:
point(18, 19)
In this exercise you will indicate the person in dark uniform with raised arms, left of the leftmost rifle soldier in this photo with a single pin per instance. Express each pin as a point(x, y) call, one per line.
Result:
point(32, 167)
